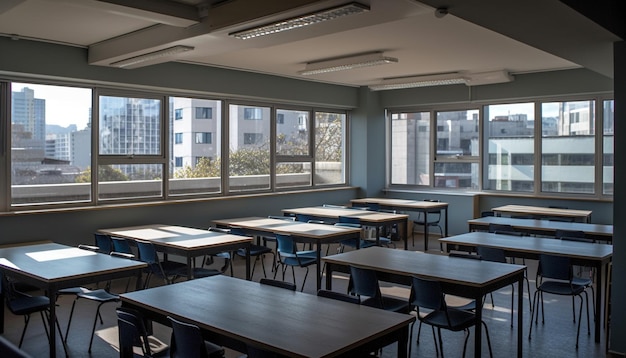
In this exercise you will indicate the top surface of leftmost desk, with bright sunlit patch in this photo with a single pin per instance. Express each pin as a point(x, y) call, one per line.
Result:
point(51, 262)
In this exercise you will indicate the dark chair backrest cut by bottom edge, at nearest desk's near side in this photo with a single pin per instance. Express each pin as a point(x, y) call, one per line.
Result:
point(186, 341)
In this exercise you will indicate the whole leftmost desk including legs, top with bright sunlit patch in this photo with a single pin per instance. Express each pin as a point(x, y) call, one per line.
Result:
point(52, 267)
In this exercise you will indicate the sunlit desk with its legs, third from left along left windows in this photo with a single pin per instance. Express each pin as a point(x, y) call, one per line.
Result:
point(302, 232)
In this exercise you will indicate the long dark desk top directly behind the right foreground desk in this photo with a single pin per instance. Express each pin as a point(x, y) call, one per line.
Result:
point(538, 245)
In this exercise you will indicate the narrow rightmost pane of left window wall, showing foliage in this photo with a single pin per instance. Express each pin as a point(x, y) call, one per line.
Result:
point(330, 157)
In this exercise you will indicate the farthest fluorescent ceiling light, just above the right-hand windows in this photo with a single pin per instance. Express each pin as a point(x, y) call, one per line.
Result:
point(468, 79)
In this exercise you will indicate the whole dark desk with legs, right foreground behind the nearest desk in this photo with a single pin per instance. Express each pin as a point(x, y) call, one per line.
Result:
point(462, 277)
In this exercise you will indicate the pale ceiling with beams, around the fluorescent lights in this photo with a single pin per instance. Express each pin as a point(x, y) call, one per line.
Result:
point(475, 36)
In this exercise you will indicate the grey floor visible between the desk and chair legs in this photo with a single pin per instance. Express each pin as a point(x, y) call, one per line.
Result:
point(555, 338)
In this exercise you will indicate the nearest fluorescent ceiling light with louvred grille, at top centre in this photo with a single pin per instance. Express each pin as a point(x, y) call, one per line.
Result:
point(300, 21)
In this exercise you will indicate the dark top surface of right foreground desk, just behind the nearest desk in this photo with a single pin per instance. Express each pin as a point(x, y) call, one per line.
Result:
point(430, 266)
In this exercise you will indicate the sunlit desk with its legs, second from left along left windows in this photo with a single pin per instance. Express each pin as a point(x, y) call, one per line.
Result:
point(184, 241)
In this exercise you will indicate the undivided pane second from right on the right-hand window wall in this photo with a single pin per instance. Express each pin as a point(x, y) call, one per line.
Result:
point(568, 147)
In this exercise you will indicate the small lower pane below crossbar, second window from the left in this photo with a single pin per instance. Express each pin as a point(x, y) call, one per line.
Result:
point(130, 181)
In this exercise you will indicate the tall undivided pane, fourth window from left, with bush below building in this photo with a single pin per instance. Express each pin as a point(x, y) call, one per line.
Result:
point(249, 148)
